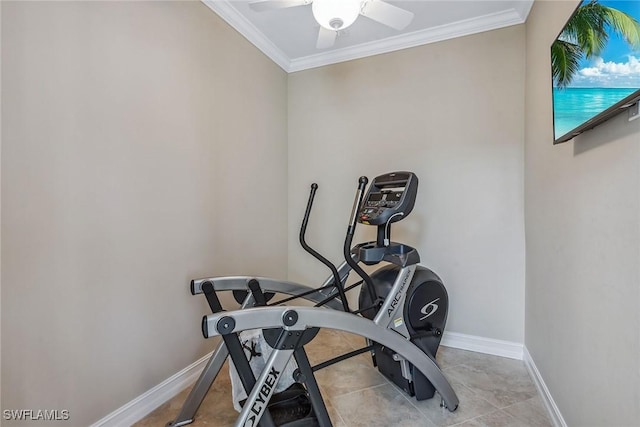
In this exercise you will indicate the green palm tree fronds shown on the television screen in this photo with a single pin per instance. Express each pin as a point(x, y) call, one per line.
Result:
point(587, 34)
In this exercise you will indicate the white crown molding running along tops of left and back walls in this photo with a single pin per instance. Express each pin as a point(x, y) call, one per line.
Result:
point(514, 16)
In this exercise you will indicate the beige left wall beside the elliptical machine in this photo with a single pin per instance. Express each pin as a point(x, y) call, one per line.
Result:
point(129, 133)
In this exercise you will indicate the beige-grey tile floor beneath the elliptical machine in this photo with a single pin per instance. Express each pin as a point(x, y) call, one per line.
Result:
point(493, 392)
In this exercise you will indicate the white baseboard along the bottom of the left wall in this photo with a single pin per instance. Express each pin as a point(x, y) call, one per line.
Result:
point(144, 404)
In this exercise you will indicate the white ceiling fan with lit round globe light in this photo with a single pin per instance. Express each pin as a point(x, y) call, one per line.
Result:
point(336, 15)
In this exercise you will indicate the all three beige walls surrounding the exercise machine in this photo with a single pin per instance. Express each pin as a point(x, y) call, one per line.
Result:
point(131, 144)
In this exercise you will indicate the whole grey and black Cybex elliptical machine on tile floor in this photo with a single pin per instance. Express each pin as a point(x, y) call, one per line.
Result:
point(402, 307)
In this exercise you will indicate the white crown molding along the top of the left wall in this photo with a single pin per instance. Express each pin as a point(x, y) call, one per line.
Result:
point(242, 25)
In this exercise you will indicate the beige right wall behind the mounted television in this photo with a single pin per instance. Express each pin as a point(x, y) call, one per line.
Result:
point(583, 249)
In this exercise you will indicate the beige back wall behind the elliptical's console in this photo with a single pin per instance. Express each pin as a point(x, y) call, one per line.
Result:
point(452, 112)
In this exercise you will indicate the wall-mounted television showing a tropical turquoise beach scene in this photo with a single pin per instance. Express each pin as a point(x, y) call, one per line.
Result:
point(595, 64)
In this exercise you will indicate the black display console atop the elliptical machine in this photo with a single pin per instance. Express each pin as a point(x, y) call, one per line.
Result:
point(390, 198)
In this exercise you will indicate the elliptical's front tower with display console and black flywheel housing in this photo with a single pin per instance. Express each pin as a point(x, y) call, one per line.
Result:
point(406, 298)
